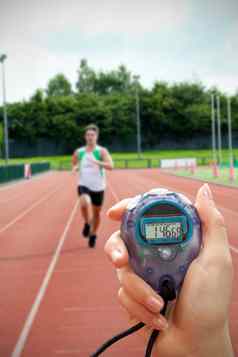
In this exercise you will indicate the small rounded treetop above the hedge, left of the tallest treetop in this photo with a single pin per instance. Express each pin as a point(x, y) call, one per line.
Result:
point(59, 86)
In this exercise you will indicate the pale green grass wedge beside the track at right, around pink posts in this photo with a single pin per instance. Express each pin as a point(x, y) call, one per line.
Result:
point(205, 174)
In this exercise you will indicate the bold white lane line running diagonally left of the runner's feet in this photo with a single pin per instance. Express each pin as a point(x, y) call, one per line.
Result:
point(41, 293)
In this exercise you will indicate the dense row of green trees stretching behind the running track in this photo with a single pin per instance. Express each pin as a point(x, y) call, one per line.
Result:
point(174, 111)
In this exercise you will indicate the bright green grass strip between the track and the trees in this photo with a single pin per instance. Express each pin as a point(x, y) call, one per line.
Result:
point(203, 157)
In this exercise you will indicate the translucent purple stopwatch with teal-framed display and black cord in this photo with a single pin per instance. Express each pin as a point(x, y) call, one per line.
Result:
point(162, 232)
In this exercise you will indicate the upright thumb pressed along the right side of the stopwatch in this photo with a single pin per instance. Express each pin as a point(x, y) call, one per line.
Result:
point(216, 247)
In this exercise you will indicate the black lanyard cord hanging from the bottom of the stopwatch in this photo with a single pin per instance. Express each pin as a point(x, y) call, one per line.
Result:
point(168, 294)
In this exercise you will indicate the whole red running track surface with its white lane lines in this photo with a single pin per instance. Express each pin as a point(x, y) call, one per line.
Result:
point(57, 297)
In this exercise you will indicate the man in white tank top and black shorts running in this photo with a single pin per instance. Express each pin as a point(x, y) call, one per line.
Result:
point(91, 161)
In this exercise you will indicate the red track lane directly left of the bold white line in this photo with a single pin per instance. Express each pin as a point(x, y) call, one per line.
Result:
point(26, 250)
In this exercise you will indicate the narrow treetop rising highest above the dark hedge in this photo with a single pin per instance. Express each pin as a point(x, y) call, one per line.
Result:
point(86, 78)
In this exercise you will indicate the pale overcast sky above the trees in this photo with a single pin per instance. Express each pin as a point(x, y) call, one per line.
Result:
point(172, 40)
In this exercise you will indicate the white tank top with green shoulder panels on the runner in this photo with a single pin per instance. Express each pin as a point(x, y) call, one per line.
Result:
point(90, 174)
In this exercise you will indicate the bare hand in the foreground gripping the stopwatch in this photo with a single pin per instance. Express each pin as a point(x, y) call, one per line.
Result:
point(197, 325)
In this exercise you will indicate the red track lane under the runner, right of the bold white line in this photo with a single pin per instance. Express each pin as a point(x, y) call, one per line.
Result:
point(86, 311)
